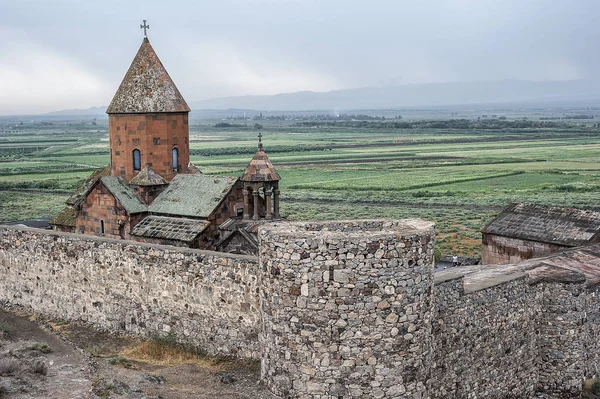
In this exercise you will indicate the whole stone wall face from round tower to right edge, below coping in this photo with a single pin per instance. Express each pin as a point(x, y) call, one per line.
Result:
point(516, 339)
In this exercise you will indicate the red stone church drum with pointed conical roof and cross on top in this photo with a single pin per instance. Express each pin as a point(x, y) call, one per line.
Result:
point(148, 120)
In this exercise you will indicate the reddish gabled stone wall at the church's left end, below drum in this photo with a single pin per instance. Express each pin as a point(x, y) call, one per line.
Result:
point(101, 210)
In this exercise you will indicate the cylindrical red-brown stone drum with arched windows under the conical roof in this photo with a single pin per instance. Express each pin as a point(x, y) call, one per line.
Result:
point(155, 135)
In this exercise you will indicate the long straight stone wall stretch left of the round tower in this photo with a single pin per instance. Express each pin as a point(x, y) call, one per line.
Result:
point(207, 299)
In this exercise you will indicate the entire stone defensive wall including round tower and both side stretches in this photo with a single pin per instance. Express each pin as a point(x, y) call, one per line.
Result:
point(333, 309)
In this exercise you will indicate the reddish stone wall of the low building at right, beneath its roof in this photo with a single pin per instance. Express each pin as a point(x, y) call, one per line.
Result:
point(500, 250)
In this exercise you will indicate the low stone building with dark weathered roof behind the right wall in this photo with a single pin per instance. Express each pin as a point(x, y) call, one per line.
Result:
point(526, 231)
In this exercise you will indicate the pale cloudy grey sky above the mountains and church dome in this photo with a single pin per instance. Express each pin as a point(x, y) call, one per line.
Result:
point(62, 54)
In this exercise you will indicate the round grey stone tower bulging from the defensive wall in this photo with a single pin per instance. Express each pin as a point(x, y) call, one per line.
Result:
point(347, 308)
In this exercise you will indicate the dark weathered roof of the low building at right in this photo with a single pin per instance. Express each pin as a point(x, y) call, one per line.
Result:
point(549, 224)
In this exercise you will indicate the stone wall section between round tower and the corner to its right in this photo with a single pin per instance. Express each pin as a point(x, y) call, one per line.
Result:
point(485, 342)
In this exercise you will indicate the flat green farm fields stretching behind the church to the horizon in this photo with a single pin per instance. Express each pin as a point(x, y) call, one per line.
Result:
point(458, 177)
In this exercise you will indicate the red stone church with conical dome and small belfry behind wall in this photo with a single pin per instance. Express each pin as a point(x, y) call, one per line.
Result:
point(151, 192)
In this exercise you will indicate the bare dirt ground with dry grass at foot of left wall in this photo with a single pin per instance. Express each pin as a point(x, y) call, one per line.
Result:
point(53, 360)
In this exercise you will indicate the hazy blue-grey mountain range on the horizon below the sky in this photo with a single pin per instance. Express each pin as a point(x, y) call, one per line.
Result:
point(500, 93)
